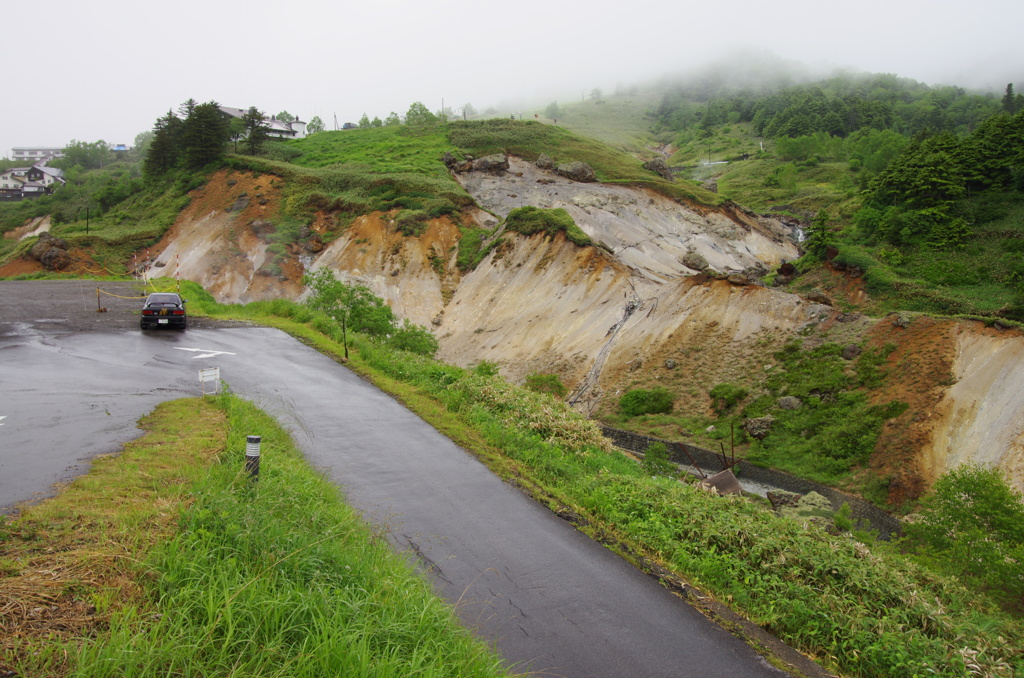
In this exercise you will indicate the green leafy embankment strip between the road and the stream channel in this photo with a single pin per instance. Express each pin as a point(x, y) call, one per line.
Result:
point(860, 611)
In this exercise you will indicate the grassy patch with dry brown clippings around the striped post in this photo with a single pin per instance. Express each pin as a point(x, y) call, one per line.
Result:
point(166, 561)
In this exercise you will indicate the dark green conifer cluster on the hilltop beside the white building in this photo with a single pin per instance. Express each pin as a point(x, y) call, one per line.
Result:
point(199, 135)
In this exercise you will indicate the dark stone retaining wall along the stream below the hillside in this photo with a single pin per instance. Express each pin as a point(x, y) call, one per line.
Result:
point(867, 517)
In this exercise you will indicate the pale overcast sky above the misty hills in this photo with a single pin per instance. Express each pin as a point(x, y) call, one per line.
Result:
point(108, 69)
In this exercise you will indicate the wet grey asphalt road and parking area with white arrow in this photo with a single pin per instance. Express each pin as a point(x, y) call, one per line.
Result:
point(73, 384)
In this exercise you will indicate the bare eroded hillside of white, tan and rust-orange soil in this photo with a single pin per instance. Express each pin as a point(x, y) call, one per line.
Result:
point(627, 315)
